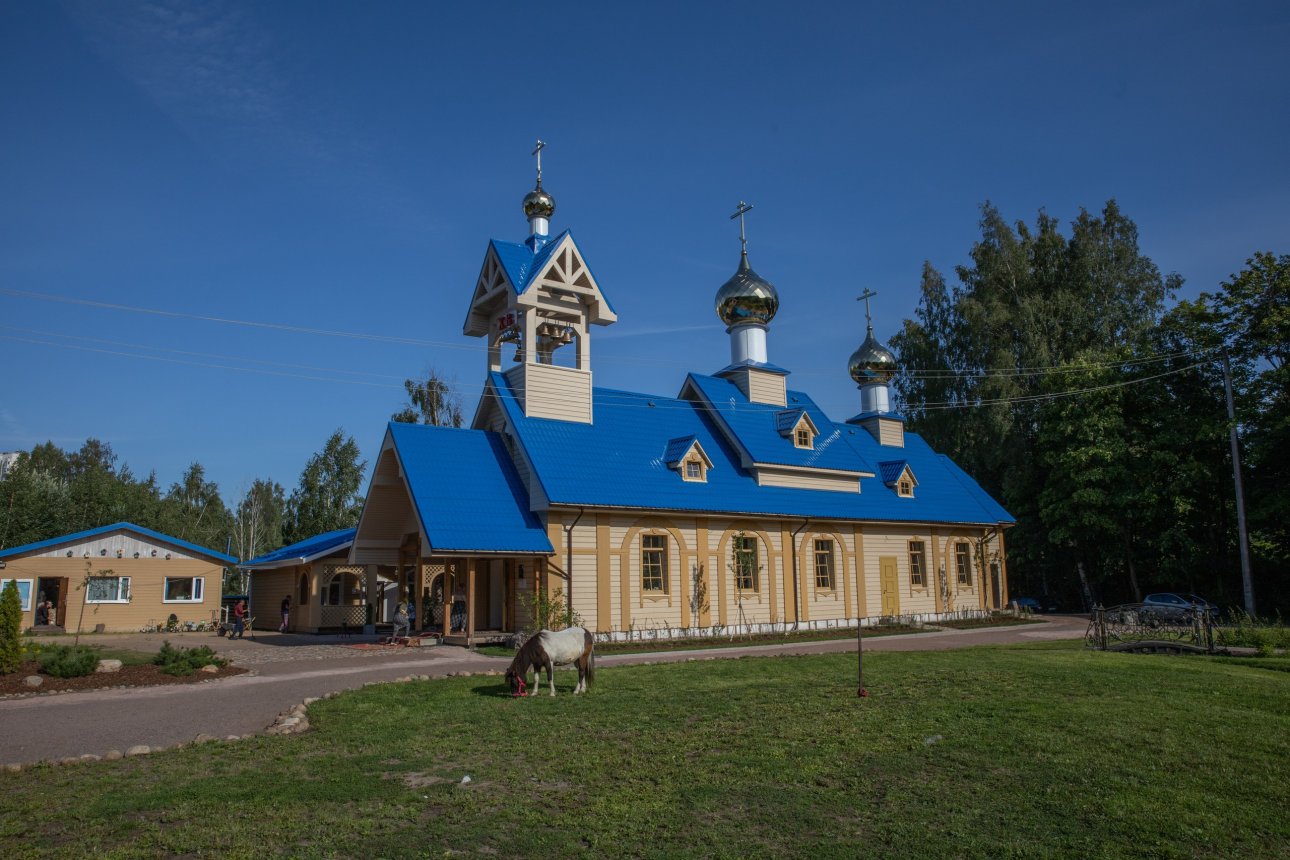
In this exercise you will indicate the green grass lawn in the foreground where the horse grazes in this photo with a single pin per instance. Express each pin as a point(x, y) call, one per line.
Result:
point(1029, 752)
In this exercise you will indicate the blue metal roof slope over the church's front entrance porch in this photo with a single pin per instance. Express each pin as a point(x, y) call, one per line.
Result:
point(466, 491)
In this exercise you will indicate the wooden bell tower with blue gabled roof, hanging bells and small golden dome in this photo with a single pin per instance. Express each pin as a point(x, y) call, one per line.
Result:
point(535, 298)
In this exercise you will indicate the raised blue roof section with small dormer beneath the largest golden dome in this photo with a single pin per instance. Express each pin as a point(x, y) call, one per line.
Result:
point(757, 429)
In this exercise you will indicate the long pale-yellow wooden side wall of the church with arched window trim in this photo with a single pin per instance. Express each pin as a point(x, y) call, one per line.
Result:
point(607, 571)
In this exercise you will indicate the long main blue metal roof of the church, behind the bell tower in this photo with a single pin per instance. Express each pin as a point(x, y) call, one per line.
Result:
point(621, 461)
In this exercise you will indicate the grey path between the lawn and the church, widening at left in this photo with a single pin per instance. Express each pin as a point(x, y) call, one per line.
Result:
point(288, 670)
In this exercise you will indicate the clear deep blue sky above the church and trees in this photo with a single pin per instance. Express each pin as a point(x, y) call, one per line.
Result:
point(341, 167)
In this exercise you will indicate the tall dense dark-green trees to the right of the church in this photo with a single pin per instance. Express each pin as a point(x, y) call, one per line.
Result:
point(1055, 373)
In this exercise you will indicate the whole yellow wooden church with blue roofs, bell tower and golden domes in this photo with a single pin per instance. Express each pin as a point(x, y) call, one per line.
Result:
point(736, 505)
